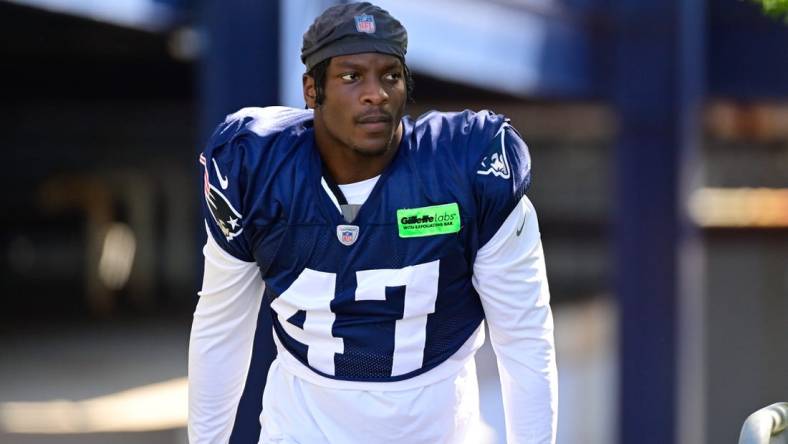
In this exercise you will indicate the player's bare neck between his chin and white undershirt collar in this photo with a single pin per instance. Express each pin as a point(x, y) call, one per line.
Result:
point(348, 166)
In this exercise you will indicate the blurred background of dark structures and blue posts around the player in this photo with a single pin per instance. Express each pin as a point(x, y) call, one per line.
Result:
point(659, 136)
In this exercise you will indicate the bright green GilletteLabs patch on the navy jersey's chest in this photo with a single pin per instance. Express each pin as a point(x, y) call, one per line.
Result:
point(428, 221)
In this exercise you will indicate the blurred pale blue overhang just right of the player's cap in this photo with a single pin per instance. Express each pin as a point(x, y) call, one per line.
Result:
point(523, 48)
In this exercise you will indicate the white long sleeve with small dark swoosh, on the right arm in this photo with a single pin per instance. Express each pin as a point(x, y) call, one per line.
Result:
point(509, 275)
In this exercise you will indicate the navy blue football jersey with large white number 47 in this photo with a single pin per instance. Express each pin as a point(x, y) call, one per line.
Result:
point(388, 295)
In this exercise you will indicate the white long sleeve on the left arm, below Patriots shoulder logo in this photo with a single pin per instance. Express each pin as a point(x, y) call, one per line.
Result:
point(220, 346)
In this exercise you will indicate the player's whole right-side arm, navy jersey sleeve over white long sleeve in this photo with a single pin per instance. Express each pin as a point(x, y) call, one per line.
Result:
point(509, 275)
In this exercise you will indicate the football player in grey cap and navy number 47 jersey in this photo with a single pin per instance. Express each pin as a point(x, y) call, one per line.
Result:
point(378, 244)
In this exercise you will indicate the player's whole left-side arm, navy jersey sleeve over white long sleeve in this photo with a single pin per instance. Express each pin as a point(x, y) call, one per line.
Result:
point(223, 329)
